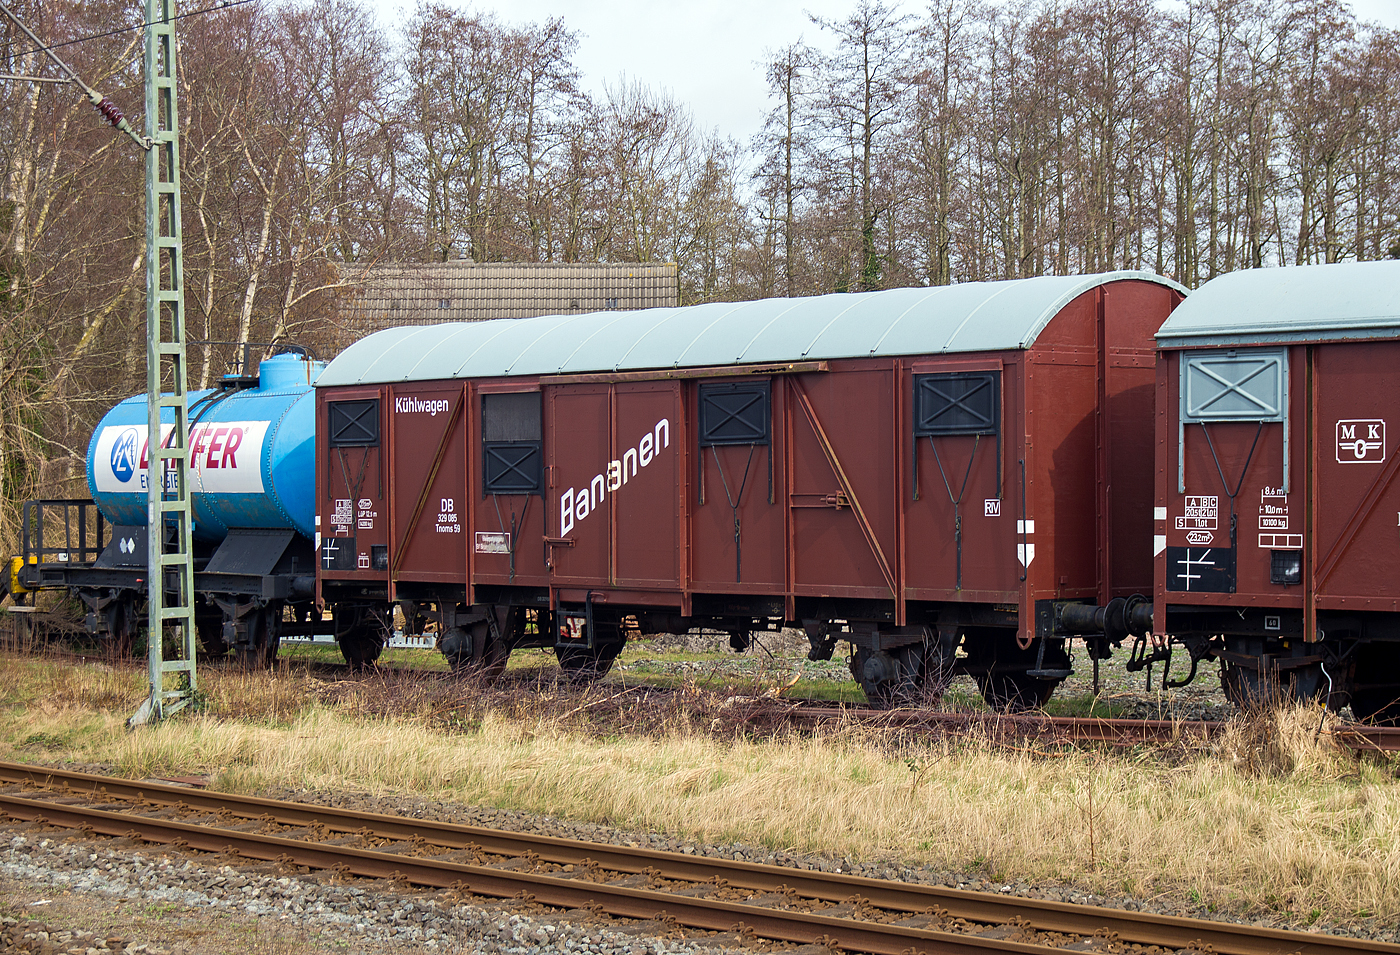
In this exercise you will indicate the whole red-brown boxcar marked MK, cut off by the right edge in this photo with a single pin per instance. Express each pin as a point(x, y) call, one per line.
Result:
point(1277, 501)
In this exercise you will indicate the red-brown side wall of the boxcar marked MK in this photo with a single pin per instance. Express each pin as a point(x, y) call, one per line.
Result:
point(1324, 541)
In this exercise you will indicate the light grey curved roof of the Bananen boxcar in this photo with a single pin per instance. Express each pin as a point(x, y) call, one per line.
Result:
point(974, 317)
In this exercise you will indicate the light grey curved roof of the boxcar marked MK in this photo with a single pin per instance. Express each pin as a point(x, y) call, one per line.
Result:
point(1307, 303)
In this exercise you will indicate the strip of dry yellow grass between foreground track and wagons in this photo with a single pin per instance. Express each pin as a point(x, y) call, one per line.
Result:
point(1273, 818)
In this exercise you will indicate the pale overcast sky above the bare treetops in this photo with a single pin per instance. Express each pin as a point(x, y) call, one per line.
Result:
point(706, 54)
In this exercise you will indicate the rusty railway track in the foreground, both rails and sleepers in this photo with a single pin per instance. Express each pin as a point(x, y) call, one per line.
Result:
point(675, 891)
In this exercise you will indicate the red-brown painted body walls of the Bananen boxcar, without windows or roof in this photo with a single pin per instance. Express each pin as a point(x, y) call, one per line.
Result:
point(842, 503)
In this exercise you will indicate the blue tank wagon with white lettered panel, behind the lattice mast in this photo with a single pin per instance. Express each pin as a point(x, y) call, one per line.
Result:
point(253, 459)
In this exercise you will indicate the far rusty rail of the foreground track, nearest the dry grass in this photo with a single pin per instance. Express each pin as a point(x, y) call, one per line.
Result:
point(828, 887)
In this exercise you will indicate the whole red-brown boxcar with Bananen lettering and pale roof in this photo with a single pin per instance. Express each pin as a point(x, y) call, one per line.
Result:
point(911, 471)
